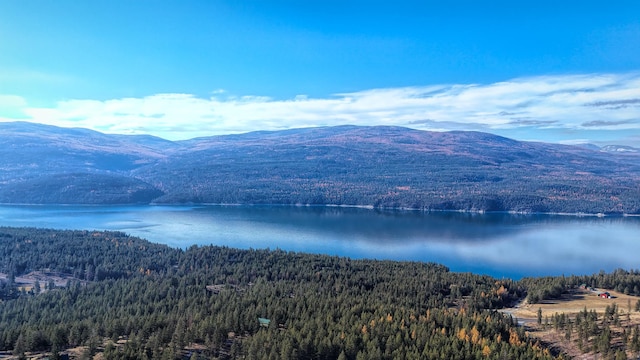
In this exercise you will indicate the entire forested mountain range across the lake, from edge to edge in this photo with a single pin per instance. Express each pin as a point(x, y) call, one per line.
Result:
point(379, 166)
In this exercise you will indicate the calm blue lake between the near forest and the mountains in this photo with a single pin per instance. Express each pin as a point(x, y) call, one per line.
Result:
point(501, 245)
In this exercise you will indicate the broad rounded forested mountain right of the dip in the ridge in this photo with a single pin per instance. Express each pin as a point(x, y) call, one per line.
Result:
point(398, 167)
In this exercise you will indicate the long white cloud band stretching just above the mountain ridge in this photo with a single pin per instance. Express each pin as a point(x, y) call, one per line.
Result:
point(576, 102)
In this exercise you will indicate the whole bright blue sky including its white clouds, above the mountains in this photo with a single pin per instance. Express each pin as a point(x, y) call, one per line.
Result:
point(559, 71)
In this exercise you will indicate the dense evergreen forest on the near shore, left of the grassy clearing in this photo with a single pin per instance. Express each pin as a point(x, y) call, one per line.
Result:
point(206, 302)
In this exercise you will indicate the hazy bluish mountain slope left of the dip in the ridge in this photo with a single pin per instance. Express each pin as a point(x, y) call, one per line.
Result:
point(44, 164)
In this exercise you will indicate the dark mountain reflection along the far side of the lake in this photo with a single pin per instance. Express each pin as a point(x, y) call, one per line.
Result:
point(381, 226)
